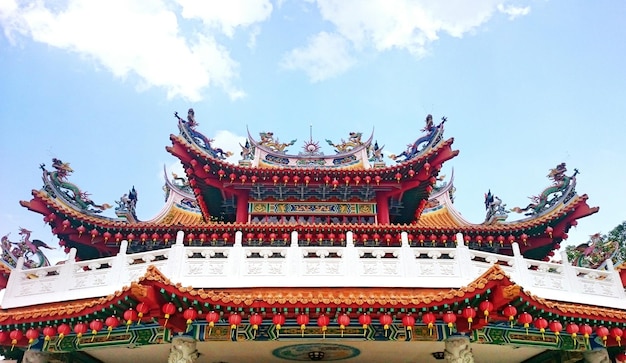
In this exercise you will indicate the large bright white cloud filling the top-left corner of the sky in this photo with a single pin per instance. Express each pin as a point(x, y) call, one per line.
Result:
point(141, 39)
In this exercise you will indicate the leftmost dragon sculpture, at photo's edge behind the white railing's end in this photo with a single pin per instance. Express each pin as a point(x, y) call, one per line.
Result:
point(29, 250)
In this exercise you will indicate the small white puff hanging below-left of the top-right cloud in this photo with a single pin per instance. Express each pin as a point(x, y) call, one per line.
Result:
point(325, 56)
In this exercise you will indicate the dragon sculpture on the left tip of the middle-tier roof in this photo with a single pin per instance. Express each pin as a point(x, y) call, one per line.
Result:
point(57, 180)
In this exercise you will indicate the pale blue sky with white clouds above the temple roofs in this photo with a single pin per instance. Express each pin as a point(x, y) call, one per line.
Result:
point(525, 85)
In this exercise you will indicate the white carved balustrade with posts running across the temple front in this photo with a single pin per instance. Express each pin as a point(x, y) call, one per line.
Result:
point(310, 266)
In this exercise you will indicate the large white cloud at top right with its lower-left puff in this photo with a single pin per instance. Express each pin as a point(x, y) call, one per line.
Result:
point(384, 25)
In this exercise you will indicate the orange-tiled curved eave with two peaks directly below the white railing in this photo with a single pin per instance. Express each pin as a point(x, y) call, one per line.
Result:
point(493, 283)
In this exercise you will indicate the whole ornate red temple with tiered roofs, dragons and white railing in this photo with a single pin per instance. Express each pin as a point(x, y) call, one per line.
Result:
point(303, 256)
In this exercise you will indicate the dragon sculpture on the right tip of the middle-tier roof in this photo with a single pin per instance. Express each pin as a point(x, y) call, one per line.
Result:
point(562, 187)
